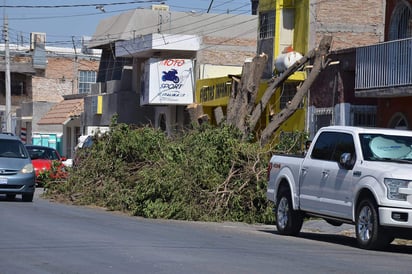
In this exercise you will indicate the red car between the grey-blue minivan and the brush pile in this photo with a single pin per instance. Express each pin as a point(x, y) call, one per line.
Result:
point(42, 158)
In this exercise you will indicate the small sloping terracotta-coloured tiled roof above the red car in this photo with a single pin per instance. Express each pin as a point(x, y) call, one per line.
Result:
point(63, 111)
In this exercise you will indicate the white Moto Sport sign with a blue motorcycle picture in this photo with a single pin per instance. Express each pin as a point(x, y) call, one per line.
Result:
point(168, 82)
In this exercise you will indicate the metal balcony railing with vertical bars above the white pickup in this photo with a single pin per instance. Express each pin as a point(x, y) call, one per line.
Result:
point(383, 66)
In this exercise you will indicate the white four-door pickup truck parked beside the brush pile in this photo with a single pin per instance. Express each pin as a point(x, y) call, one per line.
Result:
point(360, 176)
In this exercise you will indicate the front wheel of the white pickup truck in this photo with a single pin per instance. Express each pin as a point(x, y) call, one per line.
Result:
point(369, 233)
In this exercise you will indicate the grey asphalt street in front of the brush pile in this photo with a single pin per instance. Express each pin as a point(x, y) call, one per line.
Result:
point(44, 237)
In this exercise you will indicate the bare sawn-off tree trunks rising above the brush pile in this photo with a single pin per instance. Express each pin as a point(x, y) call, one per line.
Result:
point(242, 111)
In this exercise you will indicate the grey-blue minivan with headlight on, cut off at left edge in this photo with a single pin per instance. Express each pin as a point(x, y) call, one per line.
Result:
point(17, 175)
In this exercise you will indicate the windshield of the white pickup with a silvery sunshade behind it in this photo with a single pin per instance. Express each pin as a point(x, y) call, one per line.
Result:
point(380, 147)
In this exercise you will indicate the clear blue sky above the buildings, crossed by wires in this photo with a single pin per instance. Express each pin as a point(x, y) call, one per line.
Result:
point(67, 21)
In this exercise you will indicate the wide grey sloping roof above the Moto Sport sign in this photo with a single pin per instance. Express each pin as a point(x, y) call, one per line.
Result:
point(140, 22)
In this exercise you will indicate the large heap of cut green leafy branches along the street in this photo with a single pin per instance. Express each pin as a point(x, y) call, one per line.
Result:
point(207, 173)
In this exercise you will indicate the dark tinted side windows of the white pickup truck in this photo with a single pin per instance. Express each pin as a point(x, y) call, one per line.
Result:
point(331, 145)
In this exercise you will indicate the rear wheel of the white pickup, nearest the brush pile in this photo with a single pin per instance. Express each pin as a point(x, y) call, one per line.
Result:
point(288, 220)
